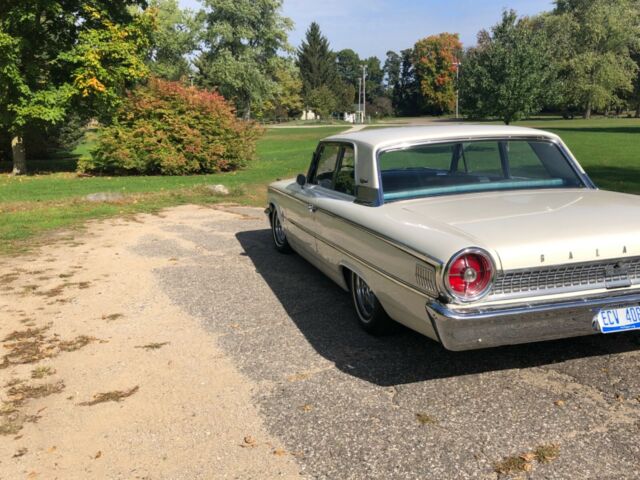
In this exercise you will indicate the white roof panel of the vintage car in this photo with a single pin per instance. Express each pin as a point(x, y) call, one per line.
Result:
point(384, 137)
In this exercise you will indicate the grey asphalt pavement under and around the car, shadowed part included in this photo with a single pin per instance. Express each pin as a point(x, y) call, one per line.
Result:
point(352, 406)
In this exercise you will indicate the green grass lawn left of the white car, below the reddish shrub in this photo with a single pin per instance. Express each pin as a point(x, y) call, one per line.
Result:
point(32, 205)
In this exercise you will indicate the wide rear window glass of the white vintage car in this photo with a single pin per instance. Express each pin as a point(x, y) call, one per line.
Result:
point(474, 166)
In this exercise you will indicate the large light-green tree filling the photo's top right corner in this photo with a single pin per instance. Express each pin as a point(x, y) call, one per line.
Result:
point(598, 66)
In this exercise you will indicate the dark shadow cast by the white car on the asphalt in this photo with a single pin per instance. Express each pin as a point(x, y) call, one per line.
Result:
point(322, 311)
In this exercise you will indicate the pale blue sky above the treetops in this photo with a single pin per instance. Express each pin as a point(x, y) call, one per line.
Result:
point(372, 27)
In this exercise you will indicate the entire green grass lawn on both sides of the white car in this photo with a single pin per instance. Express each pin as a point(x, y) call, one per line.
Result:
point(609, 149)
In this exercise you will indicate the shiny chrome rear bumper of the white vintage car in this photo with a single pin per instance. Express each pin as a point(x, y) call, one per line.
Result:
point(493, 326)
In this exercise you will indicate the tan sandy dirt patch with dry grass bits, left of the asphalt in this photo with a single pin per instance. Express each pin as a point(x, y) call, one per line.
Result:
point(167, 414)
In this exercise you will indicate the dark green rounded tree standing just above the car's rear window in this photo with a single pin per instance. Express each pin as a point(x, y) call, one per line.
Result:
point(507, 75)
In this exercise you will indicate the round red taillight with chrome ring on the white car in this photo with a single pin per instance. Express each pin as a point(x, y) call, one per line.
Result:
point(469, 275)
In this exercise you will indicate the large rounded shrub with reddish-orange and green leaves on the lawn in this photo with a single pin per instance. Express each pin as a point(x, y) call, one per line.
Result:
point(168, 129)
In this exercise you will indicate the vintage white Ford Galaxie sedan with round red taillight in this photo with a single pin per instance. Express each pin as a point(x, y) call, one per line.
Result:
point(474, 236)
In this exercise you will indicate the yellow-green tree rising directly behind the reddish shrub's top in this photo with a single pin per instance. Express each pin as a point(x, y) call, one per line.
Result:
point(177, 36)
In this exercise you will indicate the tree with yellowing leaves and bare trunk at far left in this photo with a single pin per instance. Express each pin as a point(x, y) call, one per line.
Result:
point(57, 54)
